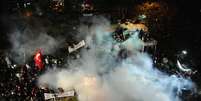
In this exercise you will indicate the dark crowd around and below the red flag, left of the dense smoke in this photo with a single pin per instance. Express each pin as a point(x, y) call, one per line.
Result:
point(19, 82)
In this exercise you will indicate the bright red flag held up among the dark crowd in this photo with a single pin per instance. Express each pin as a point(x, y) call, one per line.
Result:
point(38, 60)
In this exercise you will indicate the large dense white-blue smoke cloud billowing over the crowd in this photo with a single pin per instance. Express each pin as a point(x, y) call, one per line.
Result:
point(99, 76)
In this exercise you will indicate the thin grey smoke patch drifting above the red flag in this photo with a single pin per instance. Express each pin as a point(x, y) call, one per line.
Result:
point(25, 43)
